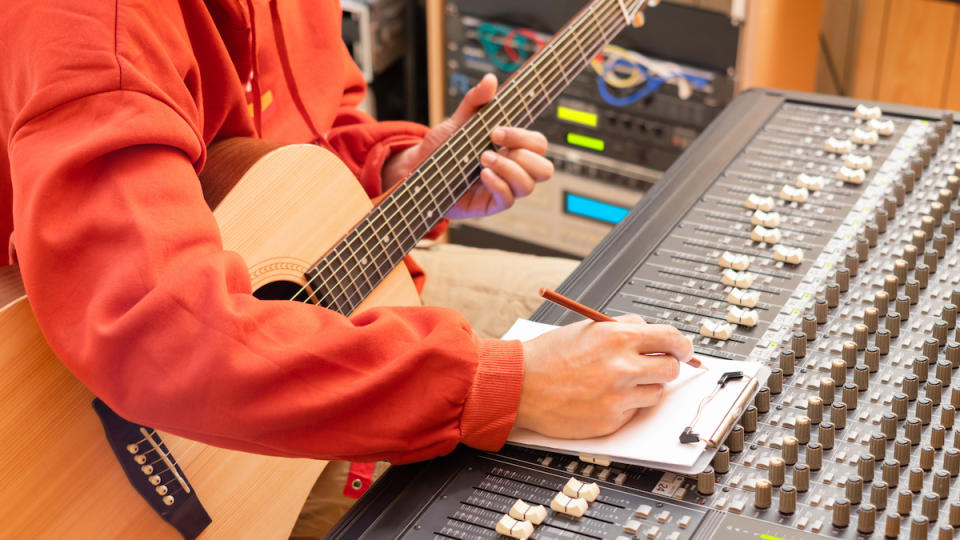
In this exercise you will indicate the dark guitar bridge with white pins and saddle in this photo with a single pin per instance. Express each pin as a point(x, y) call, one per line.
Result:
point(154, 472)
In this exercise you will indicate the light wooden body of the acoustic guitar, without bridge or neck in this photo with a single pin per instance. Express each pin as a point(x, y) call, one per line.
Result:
point(281, 209)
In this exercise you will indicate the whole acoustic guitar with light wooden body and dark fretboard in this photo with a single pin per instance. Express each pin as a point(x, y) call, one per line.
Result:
point(308, 232)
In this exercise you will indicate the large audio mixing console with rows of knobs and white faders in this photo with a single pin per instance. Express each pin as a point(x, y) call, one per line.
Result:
point(816, 235)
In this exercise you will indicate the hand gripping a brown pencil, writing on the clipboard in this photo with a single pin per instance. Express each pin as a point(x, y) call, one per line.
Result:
point(588, 379)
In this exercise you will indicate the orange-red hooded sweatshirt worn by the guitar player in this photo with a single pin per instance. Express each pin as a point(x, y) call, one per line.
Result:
point(106, 111)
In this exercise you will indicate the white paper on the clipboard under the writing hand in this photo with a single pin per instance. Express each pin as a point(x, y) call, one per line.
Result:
point(651, 438)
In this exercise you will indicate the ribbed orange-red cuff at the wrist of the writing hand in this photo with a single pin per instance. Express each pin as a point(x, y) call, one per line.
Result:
point(491, 407)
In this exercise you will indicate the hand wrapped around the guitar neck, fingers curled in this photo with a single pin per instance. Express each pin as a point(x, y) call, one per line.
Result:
point(506, 175)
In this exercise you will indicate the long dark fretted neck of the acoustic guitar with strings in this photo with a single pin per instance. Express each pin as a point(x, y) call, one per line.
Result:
point(390, 231)
